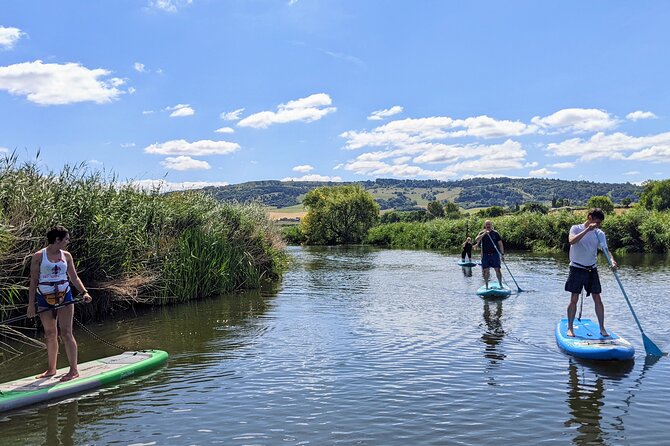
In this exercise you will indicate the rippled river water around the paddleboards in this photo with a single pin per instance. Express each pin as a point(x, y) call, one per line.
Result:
point(362, 346)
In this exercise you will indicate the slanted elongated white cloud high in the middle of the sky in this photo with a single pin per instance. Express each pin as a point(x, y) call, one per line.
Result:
point(308, 109)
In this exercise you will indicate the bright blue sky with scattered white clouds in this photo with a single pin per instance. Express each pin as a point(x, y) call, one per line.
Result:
point(196, 92)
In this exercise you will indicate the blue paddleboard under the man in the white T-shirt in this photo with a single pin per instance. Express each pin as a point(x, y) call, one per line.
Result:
point(589, 344)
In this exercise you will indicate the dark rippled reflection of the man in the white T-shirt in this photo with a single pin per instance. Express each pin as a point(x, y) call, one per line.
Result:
point(587, 382)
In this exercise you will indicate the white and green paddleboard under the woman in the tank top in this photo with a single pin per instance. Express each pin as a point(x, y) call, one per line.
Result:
point(92, 374)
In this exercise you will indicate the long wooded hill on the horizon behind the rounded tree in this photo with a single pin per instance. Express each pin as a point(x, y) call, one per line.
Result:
point(411, 194)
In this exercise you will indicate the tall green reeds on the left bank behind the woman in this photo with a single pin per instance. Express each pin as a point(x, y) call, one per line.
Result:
point(132, 245)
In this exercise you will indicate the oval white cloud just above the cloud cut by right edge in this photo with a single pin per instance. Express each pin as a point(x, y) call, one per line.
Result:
point(577, 120)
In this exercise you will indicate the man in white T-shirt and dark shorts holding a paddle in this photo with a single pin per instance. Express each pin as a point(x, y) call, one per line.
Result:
point(585, 239)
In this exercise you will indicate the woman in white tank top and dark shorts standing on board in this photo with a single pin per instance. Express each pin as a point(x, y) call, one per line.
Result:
point(51, 271)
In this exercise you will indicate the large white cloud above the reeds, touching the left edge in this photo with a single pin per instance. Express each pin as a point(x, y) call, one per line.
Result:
point(57, 84)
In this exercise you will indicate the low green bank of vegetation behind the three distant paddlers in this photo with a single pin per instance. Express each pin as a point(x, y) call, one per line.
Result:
point(637, 230)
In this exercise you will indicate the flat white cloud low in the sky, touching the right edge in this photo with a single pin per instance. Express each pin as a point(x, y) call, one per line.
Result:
point(618, 146)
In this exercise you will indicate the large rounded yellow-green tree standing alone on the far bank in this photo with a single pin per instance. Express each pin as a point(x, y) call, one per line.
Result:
point(338, 215)
